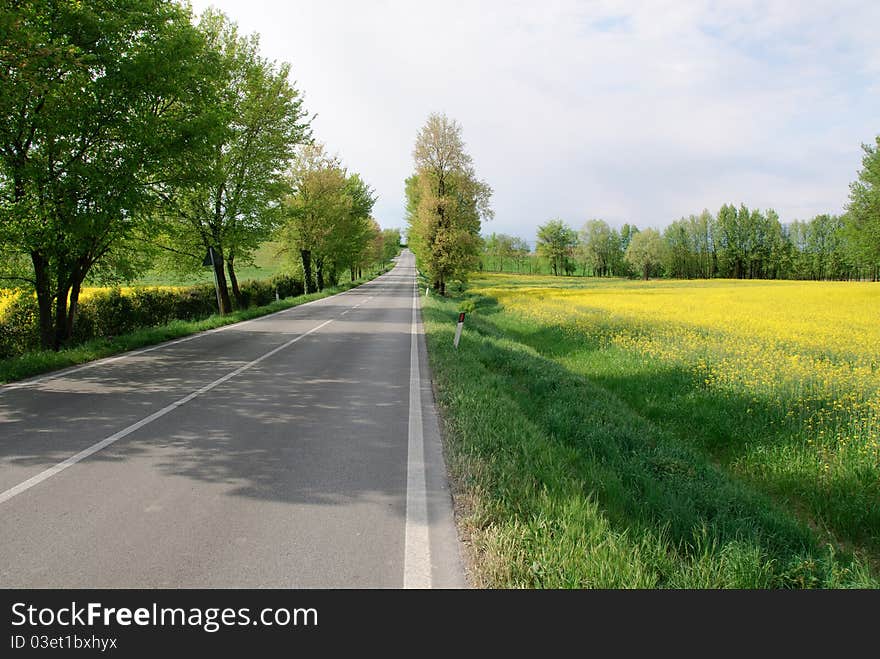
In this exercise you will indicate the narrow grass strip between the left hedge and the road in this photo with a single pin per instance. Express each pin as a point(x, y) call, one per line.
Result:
point(35, 363)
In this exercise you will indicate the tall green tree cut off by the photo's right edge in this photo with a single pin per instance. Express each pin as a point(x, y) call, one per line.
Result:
point(863, 213)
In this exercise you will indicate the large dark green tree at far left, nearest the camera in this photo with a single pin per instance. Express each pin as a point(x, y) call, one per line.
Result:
point(99, 103)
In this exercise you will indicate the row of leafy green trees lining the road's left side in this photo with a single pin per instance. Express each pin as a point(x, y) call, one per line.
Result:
point(129, 130)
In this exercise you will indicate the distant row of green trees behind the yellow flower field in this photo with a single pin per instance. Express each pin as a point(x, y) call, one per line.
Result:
point(737, 242)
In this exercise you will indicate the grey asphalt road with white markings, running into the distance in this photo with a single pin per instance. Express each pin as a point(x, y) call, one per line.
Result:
point(298, 450)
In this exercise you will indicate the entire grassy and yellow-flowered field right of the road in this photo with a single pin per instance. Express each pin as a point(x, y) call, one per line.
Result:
point(664, 434)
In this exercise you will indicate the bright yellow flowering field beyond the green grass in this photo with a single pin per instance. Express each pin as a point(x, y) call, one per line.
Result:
point(807, 353)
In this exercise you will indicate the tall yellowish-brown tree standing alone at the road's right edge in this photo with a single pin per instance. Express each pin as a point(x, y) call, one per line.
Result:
point(445, 204)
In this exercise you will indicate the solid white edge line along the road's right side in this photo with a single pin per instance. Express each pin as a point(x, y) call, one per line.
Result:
point(417, 548)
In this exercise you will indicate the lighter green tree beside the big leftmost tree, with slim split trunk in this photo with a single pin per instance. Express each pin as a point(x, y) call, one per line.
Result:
point(234, 206)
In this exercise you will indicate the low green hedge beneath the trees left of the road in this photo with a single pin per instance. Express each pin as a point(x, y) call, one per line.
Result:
point(111, 313)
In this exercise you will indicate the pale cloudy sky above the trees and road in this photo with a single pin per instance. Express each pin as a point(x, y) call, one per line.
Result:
point(635, 112)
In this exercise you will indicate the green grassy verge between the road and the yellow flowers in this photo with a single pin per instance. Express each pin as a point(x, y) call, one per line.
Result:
point(567, 484)
